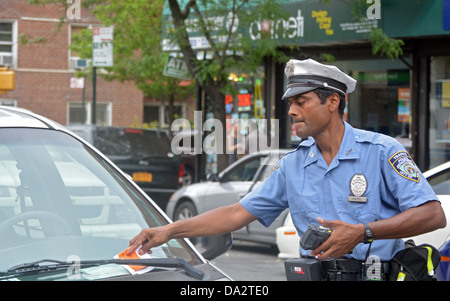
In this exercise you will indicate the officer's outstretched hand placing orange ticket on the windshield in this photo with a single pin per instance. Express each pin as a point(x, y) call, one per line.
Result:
point(148, 238)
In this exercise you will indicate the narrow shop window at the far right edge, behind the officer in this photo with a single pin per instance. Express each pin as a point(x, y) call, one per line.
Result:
point(439, 133)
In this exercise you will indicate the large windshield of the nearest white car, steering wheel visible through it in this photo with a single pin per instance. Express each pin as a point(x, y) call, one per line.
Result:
point(59, 199)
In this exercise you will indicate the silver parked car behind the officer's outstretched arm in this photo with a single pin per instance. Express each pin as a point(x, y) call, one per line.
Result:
point(226, 188)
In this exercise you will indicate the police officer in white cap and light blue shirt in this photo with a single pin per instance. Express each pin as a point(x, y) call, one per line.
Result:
point(363, 185)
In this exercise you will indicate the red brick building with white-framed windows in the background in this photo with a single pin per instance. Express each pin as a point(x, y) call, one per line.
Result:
point(43, 71)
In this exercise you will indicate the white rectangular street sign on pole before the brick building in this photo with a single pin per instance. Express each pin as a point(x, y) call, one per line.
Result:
point(102, 46)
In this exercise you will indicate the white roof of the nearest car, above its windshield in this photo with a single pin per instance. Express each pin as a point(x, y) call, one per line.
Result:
point(17, 117)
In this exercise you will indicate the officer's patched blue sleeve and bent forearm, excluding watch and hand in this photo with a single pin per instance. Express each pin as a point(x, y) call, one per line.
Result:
point(408, 190)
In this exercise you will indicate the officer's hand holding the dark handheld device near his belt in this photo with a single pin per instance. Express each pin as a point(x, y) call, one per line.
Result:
point(344, 238)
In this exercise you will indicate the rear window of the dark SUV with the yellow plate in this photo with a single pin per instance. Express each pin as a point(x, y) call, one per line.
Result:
point(131, 142)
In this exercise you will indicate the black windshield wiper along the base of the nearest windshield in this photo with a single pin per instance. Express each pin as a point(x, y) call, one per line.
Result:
point(37, 266)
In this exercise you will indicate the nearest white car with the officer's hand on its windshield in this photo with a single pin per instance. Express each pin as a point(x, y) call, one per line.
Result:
point(66, 211)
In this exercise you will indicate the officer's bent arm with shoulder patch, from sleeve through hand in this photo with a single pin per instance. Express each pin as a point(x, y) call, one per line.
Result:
point(406, 189)
